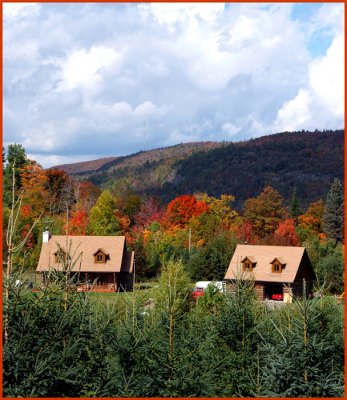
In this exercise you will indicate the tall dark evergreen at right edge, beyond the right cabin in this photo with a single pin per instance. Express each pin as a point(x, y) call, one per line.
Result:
point(333, 216)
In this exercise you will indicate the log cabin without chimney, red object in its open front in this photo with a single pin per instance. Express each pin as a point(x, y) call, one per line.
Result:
point(278, 272)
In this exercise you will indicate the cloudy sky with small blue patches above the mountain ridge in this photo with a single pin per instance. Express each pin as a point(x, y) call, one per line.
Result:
point(85, 81)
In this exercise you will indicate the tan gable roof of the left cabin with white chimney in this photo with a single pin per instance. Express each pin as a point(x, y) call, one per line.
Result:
point(87, 246)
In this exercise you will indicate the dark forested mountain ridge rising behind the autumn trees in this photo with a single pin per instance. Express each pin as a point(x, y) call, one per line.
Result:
point(308, 161)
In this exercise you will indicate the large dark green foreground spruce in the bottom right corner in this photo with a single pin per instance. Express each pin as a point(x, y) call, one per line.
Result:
point(300, 353)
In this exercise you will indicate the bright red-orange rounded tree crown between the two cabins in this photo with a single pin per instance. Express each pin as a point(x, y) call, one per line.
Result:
point(183, 208)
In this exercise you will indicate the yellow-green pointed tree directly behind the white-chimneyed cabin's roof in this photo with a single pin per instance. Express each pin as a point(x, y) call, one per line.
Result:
point(103, 220)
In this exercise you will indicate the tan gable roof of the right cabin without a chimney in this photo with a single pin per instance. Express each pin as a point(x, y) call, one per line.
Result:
point(289, 256)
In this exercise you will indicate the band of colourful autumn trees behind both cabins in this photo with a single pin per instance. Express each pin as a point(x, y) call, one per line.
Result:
point(199, 229)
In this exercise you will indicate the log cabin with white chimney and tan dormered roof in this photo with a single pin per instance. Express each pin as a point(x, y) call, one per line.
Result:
point(100, 263)
